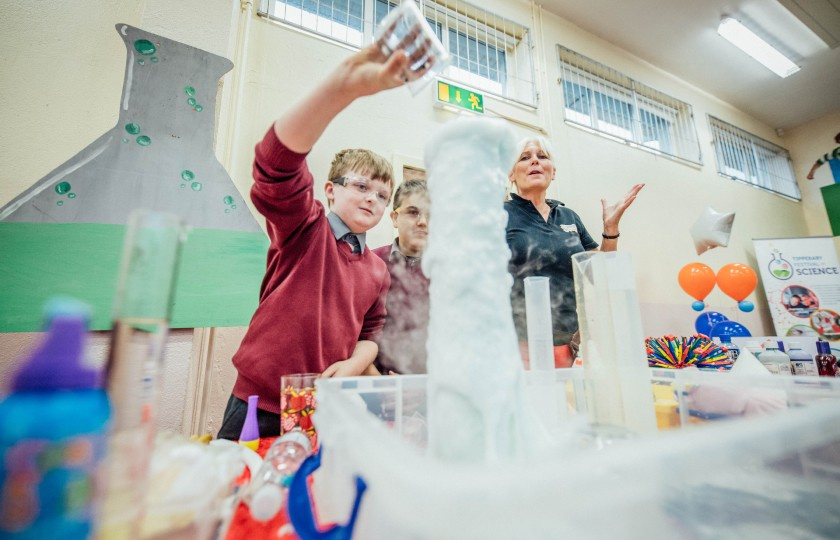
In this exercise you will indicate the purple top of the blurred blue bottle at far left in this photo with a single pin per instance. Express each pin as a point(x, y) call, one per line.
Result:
point(56, 364)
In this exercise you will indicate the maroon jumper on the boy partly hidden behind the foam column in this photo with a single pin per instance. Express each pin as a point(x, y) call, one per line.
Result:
point(402, 344)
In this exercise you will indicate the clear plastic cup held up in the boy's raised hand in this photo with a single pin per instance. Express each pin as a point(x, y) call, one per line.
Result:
point(405, 28)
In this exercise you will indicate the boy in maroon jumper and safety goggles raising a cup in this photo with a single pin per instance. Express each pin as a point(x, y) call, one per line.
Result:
point(322, 301)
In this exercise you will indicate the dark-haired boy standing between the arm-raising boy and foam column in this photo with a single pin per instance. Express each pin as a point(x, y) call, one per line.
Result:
point(402, 345)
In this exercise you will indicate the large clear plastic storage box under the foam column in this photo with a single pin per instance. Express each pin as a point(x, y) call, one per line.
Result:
point(756, 458)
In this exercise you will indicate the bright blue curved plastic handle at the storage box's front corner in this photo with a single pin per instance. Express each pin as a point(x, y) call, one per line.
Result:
point(300, 507)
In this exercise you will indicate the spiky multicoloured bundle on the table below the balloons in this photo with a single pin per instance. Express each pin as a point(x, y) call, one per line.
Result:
point(674, 352)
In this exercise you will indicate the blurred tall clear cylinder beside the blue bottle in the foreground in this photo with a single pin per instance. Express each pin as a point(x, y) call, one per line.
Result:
point(142, 309)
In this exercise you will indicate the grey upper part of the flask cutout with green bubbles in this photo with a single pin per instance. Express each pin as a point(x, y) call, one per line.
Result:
point(159, 156)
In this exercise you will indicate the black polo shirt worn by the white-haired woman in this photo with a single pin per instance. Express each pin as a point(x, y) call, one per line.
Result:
point(545, 248)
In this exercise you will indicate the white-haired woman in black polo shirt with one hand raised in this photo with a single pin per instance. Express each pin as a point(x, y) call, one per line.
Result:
point(543, 234)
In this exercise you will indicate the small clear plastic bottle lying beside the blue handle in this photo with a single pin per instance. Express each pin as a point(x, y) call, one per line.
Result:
point(267, 490)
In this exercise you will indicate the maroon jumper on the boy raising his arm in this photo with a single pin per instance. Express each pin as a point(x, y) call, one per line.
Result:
point(317, 299)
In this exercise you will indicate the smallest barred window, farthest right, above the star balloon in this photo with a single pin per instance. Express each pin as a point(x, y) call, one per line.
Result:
point(744, 157)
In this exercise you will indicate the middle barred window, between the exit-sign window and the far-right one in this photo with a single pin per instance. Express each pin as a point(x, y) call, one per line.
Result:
point(606, 101)
